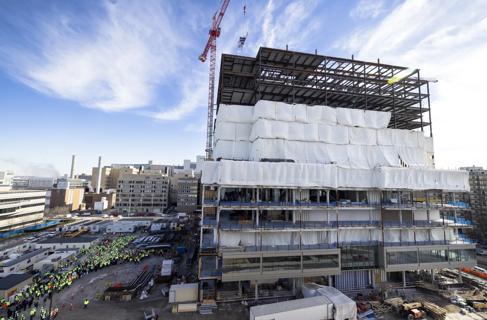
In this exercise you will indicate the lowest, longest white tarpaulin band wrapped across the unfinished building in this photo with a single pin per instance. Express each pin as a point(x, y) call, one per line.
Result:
point(283, 174)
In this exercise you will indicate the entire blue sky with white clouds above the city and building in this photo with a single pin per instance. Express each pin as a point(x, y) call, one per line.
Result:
point(121, 79)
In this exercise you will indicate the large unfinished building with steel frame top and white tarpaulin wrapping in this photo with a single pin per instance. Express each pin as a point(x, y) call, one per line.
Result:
point(323, 170)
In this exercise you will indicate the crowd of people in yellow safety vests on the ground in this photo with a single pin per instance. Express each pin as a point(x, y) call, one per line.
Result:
point(33, 299)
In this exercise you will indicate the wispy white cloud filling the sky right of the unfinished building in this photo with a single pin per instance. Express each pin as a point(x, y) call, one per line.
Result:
point(447, 41)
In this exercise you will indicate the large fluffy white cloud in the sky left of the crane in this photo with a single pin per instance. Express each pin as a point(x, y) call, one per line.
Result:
point(116, 65)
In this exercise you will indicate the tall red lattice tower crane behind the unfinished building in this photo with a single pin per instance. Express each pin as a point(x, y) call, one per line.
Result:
point(211, 47)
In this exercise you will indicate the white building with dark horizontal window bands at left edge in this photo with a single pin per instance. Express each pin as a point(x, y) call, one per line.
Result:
point(21, 208)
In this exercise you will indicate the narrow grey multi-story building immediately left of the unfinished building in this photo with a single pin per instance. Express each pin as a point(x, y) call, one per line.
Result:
point(187, 191)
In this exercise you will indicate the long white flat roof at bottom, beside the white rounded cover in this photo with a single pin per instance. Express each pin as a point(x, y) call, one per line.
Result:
point(290, 305)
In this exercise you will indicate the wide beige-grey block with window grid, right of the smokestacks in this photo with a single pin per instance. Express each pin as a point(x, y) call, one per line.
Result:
point(142, 190)
